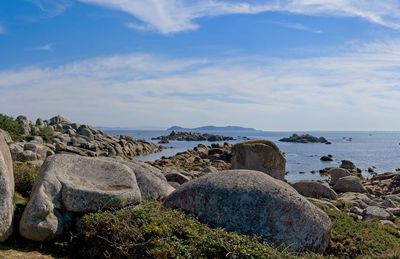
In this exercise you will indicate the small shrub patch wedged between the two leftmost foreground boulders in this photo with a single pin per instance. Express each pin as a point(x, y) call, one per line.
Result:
point(25, 176)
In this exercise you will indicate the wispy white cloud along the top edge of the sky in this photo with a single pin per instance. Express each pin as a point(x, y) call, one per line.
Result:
point(170, 16)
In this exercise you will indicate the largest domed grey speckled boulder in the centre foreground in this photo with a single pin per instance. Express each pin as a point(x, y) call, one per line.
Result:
point(252, 202)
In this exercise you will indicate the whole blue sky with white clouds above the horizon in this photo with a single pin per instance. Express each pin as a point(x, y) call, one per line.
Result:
point(150, 64)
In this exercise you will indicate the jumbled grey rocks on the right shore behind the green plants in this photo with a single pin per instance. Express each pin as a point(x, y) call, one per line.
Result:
point(377, 198)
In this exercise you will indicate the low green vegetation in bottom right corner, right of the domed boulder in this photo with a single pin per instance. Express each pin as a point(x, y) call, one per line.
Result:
point(358, 239)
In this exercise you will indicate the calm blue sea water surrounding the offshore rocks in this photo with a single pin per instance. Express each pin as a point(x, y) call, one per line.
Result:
point(367, 149)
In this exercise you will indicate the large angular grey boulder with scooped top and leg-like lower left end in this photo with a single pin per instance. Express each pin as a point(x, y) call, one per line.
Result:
point(71, 183)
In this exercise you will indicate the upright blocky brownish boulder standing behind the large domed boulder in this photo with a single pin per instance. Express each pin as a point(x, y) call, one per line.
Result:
point(259, 155)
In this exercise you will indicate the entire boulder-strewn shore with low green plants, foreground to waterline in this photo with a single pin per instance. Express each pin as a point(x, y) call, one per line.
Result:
point(79, 197)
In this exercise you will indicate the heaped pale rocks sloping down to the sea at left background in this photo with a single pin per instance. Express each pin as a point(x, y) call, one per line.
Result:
point(65, 136)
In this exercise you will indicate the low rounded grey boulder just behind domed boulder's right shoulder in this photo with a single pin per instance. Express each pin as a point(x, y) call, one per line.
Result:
point(315, 189)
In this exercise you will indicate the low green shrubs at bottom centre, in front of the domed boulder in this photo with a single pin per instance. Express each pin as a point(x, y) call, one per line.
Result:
point(153, 231)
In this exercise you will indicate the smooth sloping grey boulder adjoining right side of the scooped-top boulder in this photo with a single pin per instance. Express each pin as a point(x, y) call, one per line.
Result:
point(152, 183)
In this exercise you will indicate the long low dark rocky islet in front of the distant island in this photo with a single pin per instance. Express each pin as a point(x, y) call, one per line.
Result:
point(191, 136)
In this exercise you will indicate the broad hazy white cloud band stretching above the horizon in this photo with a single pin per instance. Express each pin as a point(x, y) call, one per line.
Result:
point(356, 90)
